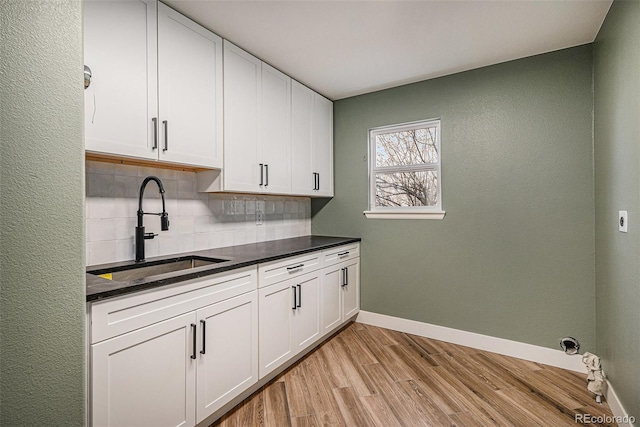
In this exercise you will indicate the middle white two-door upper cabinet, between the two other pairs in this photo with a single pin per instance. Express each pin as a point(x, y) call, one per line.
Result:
point(257, 125)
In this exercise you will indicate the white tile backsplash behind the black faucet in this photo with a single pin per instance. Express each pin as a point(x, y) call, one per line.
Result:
point(198, 220)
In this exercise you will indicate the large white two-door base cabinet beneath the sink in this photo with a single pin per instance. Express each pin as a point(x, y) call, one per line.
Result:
point(180, 370)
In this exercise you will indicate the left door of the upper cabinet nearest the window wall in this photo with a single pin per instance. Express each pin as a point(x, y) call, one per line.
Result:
point(302, 178)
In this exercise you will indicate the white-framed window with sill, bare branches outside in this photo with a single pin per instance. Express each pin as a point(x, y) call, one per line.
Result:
point(404, 171)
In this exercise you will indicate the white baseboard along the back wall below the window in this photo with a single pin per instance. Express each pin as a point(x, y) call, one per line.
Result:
point(517, 349)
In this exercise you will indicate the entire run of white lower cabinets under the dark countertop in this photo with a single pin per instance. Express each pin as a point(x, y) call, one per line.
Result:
point(176, 355)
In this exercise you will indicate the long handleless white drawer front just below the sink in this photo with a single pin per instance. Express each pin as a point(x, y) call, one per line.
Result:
point(117, 316)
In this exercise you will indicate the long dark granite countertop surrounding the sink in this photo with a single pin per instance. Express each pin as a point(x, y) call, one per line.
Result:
point(238, 256)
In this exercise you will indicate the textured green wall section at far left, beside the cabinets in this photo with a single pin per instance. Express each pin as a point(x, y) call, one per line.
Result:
point(41, 210)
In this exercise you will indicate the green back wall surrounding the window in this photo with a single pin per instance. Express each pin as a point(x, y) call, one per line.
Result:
point(514, 256)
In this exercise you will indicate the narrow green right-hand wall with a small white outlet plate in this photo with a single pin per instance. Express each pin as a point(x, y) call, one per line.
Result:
point(617, 179)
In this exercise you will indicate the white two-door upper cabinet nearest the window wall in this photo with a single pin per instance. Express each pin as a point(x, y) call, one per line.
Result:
point(312, 143)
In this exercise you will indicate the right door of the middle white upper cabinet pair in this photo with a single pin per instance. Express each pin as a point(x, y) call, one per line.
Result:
point(274, 150)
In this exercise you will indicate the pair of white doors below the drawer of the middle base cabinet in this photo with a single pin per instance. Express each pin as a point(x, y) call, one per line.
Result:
point(289, 319)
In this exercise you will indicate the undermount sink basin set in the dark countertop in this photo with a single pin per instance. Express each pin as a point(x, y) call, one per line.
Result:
point(153, 268)
